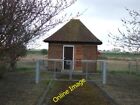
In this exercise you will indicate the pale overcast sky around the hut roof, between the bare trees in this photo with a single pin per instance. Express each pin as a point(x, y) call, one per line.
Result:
point(100, 17)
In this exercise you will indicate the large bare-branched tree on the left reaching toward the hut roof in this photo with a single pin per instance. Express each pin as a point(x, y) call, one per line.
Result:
point(24, 20)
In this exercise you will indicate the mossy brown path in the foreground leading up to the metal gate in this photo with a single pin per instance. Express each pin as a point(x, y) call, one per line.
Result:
point(88, 94)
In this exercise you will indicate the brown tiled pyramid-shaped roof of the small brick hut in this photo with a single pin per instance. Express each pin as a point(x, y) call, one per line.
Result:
point(73, 32)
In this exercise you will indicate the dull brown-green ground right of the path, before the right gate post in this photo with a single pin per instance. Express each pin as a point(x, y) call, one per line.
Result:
point(123, 88)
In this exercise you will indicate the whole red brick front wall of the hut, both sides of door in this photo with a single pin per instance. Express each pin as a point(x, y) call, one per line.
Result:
point(81, 52)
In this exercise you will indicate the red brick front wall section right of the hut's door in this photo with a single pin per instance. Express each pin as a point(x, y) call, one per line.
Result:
point(86, 52)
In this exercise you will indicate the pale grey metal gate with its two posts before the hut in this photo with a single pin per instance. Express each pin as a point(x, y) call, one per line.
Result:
point(91, 70)
